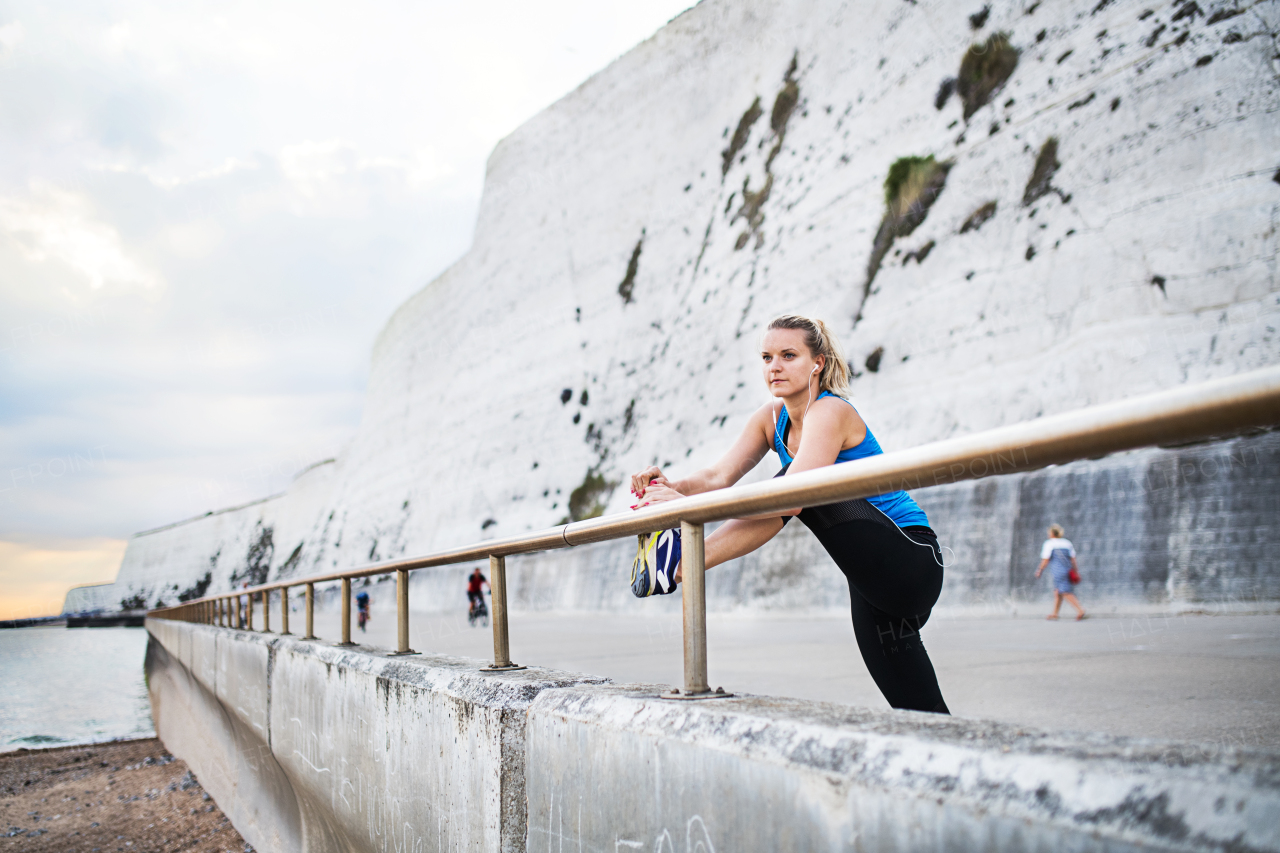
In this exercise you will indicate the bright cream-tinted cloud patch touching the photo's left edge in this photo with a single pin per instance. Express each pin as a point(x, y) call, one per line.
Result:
point(57, 226)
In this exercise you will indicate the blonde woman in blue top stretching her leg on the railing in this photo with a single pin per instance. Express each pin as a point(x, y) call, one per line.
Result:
point(884, 544)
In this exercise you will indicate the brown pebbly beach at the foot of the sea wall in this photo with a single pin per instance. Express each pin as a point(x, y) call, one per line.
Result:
point(124, 797)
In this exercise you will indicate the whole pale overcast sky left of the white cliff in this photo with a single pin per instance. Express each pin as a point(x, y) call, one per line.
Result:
point(208, 212)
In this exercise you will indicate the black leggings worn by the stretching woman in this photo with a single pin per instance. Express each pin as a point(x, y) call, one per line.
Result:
point(895, 577)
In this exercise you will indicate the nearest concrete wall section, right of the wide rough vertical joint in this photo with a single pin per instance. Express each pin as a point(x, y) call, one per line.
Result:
point(619, 769)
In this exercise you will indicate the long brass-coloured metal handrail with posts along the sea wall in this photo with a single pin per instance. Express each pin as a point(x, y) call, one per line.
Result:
point(1192, 413)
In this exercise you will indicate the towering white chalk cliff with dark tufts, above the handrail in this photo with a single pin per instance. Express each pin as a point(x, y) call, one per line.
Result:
point(636, 238)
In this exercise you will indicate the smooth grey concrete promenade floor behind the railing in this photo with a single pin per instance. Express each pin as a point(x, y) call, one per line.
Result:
point(1199, 678)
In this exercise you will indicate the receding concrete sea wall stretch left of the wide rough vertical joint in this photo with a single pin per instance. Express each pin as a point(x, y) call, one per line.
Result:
point(312, 747)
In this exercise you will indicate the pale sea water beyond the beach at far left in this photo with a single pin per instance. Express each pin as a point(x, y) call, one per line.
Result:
point(68, 686)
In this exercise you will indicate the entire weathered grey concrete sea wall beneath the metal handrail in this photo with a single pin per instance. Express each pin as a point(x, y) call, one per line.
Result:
point(312, 749)
